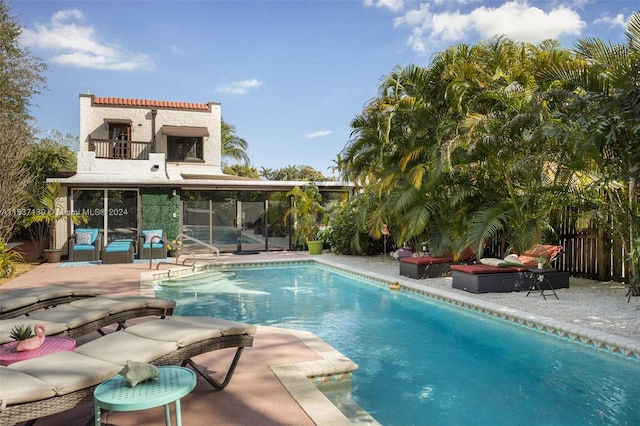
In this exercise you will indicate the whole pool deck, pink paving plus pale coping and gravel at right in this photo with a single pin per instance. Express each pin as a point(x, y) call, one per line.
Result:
point(270, 386)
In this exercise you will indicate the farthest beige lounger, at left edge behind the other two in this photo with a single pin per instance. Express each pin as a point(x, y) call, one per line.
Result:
point(14, 303)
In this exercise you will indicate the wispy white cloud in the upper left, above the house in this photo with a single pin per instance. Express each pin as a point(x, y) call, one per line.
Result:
point(76, 45)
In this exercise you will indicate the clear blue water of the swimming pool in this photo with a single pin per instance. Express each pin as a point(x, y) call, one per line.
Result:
point(423, 362)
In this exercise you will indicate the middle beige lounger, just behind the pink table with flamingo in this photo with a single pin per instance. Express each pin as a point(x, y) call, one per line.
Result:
point(86, 316)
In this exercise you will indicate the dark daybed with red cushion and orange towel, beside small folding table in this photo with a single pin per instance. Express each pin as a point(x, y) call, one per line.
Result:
point(490, 278)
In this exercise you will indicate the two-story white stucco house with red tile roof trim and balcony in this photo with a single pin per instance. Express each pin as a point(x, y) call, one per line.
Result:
point(146, 164)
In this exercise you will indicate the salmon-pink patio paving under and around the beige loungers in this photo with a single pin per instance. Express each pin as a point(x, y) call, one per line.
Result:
point(255, 395)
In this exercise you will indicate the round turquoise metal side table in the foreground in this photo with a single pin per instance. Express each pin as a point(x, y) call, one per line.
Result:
point(116, 395)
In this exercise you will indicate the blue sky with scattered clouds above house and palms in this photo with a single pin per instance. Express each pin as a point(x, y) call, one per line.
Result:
point(290, 75)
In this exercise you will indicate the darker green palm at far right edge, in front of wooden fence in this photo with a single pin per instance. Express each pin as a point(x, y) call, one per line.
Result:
point(601, 111)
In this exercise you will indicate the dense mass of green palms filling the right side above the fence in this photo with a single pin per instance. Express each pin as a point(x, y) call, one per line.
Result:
point(498, 139)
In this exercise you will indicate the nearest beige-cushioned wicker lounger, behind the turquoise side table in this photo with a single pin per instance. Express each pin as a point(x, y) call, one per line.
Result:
point(57, 382)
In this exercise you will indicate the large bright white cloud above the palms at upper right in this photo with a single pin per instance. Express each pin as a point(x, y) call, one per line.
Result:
point(515, 19)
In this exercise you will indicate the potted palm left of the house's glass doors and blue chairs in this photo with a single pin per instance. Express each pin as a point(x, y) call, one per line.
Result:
point(50, 213)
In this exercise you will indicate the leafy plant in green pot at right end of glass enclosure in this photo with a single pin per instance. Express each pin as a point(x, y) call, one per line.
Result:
point(308, 215)
